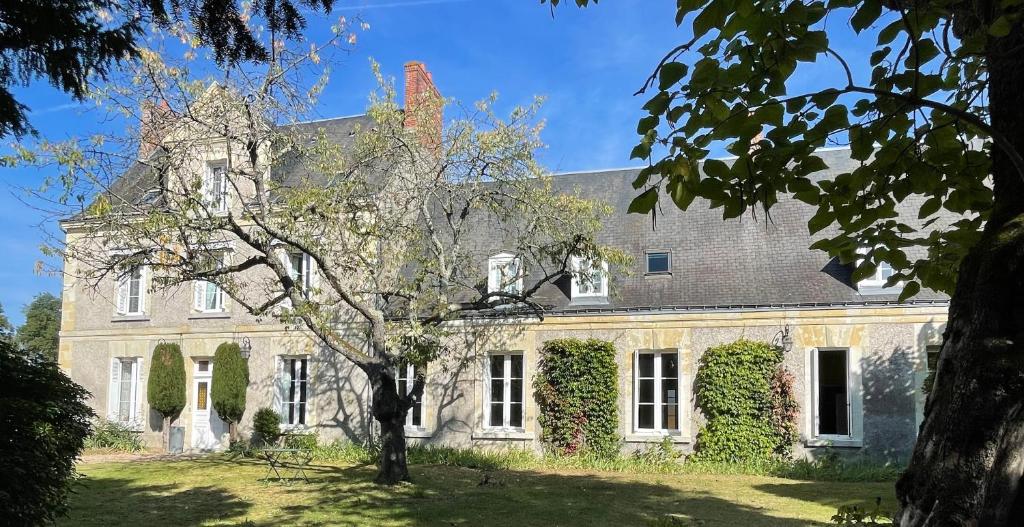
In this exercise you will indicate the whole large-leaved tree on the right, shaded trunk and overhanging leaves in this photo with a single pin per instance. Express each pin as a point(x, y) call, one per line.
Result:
point(934, 118)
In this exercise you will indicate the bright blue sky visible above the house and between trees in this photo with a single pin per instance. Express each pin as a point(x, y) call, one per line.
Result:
point(587, 63)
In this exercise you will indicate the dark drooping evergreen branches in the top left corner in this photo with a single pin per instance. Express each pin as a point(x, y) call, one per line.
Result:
point(71, 42)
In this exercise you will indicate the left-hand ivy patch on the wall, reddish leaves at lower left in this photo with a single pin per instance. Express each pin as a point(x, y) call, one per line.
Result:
point(577, 391)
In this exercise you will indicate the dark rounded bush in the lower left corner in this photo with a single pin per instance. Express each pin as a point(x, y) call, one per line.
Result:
point(45, 422)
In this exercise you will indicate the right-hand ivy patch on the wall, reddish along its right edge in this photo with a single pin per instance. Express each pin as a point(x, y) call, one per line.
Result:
point(748, 401)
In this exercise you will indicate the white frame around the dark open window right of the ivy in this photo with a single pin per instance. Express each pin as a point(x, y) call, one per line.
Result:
point(855, 394)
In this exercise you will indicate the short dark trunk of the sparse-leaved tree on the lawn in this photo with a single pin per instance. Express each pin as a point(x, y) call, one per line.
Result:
point(390, 410)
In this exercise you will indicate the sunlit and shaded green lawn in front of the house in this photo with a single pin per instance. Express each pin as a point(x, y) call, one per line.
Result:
point(215, 491)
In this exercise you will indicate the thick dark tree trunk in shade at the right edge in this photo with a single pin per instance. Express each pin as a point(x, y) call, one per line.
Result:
point(968, 464)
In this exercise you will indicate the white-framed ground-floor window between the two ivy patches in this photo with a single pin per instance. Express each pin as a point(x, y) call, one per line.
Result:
point(657, 392)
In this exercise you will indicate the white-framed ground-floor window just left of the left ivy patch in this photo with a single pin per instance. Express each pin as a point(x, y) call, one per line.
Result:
point(504, 392)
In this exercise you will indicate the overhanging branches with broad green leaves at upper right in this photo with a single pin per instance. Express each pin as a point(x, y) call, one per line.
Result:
point(914, 114)
